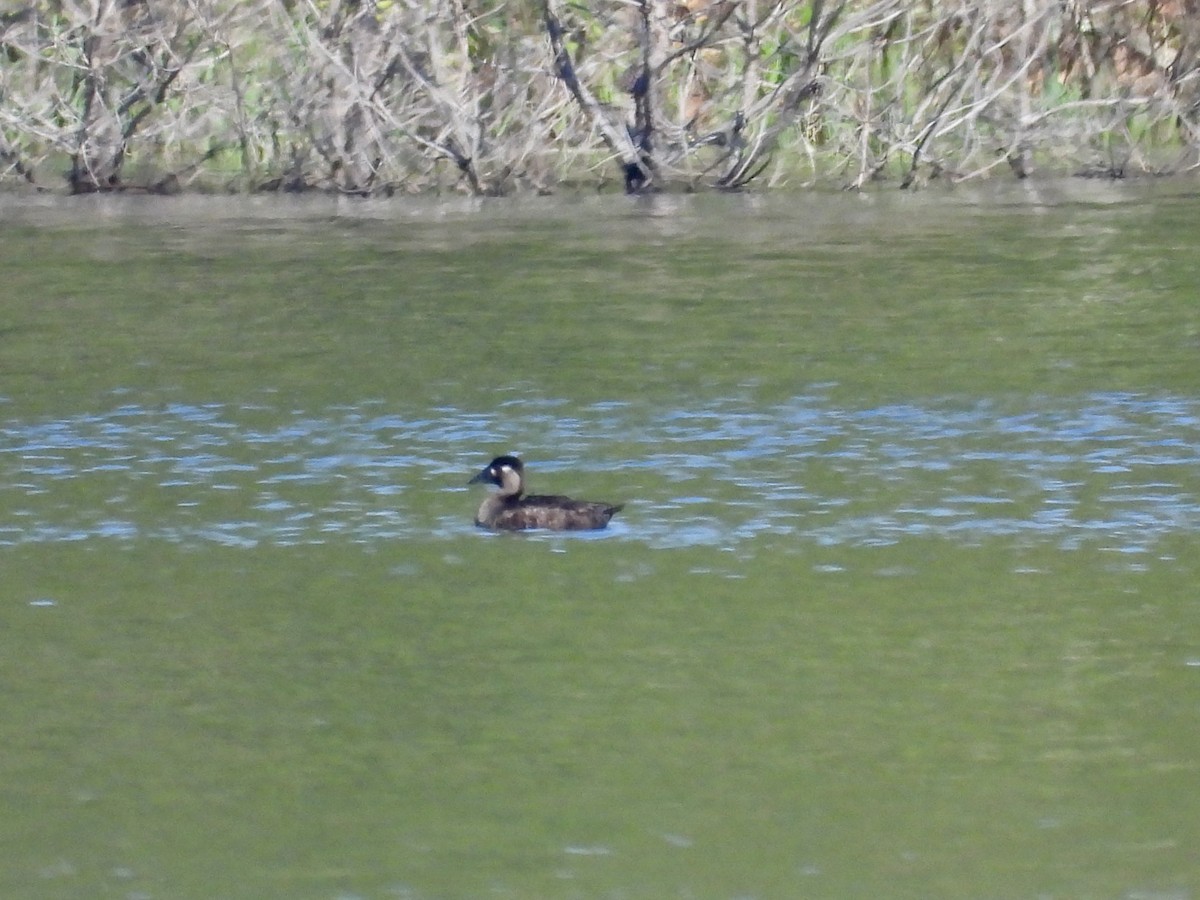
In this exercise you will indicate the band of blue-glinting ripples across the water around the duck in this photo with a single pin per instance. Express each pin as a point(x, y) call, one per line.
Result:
point(1115, 470)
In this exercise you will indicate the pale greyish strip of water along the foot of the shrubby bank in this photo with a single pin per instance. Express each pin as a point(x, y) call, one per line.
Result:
point(583, 206)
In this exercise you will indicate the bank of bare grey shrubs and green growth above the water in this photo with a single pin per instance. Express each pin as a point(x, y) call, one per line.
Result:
point(493, 98)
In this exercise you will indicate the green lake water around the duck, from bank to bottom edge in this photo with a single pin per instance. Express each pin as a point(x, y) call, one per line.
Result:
point(903, 602)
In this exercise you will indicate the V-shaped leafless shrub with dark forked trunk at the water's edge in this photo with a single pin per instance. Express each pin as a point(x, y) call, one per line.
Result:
point(711, 86)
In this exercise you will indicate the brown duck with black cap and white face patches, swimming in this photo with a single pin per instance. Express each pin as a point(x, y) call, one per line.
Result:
point(512, 511)
